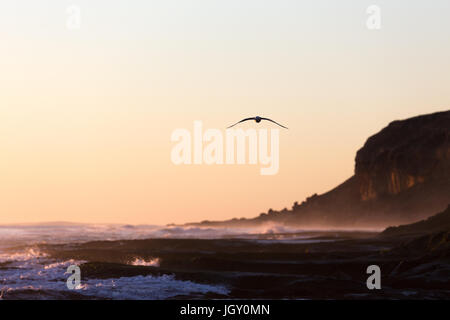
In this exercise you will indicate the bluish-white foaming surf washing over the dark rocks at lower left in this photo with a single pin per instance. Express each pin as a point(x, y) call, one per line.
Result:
point(32, 274)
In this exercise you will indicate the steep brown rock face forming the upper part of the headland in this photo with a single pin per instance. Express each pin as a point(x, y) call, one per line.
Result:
point(403, 155)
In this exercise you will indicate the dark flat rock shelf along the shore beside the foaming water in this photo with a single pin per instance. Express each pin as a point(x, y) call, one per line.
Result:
point(411, 267)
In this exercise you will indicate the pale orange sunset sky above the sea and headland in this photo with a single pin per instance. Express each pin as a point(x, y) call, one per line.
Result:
point(86, 114)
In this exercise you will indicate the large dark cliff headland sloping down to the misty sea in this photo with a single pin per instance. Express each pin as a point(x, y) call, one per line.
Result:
point(402, 174)
